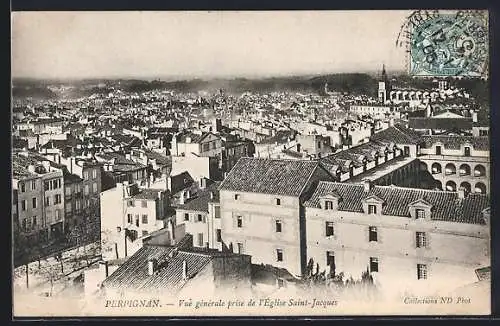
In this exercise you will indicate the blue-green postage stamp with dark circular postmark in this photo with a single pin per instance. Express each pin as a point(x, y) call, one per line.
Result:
point(445, 44)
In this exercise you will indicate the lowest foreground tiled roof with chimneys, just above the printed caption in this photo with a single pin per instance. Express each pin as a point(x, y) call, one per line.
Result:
point(133, 274)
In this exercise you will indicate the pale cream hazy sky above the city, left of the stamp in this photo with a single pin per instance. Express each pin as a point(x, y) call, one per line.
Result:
point(201, 44)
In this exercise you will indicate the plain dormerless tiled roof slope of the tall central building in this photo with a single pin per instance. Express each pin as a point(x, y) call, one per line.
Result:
point(269, 176)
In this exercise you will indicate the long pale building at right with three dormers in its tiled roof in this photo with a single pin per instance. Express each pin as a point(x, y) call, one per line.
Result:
point(442, 237)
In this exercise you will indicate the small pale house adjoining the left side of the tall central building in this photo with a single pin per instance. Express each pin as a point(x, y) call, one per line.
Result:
point(201, 216)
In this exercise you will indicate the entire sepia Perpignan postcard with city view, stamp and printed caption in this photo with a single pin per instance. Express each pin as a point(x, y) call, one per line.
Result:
point(250, 163)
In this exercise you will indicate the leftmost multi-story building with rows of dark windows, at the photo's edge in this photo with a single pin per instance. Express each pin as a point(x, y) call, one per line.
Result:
point(40, 197)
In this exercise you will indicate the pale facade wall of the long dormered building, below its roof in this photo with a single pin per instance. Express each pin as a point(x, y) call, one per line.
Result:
point(454, 250)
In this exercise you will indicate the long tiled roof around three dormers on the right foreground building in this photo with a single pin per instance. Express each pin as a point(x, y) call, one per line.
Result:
point(447, 206)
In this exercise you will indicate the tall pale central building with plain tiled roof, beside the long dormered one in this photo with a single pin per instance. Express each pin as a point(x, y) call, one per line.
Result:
point(261, 209)
